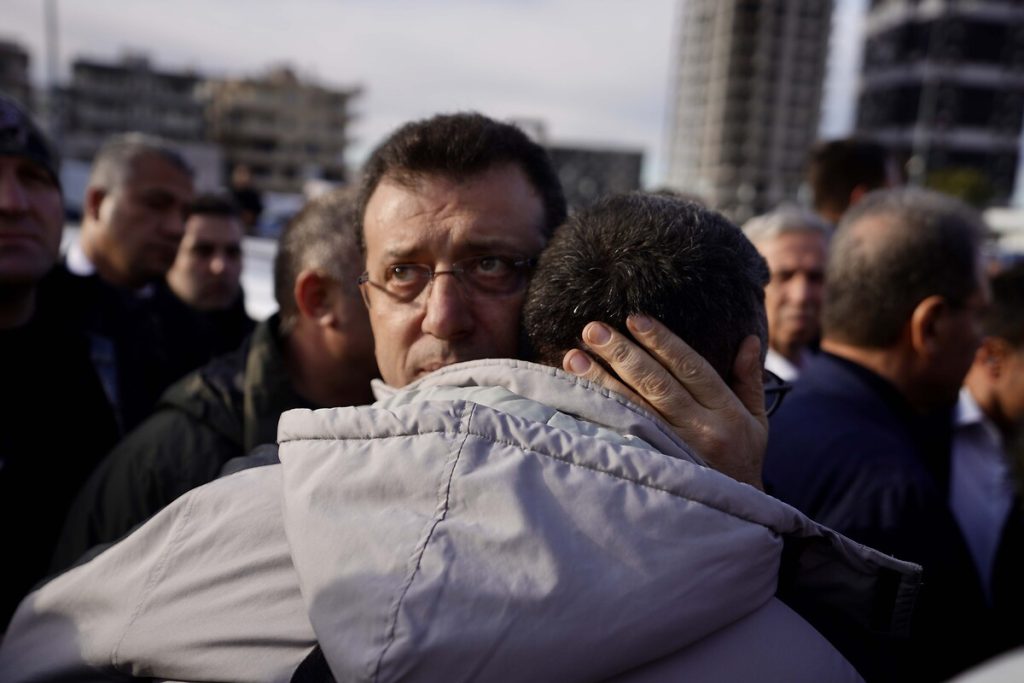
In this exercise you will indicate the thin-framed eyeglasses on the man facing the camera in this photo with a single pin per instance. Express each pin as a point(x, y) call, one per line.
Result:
point(485, 276)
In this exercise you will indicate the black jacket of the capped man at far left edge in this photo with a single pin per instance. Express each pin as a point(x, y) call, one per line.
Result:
point(56, 425)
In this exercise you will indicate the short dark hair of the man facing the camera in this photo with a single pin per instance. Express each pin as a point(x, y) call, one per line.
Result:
point(460, 147)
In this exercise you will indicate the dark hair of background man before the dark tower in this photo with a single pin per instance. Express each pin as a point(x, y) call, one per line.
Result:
point(837, 167)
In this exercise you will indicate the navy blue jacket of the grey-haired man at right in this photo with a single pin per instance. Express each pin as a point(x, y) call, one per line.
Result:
point(847, 450)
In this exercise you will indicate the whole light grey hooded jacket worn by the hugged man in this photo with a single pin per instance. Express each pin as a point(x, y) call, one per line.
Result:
point(496, 522)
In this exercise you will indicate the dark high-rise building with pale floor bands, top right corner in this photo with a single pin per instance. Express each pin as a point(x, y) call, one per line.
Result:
point(943, 87)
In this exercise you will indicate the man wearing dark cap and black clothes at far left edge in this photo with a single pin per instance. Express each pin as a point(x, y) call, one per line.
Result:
point(55, 422)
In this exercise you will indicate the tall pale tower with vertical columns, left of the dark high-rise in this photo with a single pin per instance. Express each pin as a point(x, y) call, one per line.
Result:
point(746, 100)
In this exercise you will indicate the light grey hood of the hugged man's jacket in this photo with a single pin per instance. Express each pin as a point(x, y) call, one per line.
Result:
point(500, 520)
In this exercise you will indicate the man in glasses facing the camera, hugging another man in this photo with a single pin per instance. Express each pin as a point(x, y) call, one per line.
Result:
point(444, 194)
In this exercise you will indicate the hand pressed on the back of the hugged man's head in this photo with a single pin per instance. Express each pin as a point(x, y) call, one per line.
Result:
point(726, 426)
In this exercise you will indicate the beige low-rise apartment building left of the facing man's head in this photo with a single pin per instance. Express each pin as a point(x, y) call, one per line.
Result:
point(284, 131)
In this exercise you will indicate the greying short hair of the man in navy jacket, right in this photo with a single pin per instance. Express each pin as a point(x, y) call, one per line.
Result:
point(923, 244)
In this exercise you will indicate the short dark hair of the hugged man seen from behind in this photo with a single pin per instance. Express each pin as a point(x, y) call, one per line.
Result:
point(672, 260)
